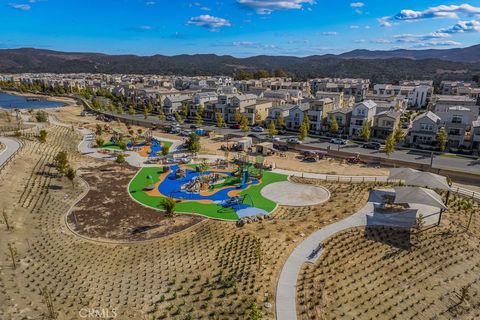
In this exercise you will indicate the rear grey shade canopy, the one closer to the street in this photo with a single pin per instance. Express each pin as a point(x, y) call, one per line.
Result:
point(417, 178)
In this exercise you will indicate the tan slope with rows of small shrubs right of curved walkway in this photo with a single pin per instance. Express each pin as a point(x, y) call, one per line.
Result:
point(384, 273)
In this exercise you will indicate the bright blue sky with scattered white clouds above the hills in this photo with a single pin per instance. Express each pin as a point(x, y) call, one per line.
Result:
point(237, 27)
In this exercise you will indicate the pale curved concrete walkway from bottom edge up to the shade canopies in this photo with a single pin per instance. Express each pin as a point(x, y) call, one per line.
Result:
point(310, 249)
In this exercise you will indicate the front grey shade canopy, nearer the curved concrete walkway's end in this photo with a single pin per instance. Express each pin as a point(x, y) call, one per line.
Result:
point(418, 195)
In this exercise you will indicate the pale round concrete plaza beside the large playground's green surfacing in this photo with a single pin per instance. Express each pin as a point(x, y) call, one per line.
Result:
point(293, 194)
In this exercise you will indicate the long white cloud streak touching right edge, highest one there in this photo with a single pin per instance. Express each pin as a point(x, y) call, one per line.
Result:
point(442, 11)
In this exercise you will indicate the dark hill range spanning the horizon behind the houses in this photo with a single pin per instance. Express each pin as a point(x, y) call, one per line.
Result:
point(379, 66)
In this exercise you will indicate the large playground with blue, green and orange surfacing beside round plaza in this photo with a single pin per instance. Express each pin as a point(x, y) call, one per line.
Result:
point(221, 190)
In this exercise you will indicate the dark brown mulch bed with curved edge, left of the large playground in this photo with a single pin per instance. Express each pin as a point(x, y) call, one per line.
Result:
point(108, 212)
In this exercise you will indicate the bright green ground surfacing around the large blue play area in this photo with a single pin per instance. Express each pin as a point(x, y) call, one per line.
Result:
point(214, 211)
